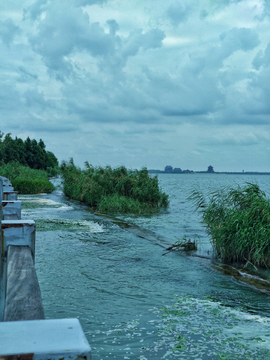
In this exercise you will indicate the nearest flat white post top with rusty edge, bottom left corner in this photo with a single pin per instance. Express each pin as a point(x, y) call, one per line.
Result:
point(42, 340)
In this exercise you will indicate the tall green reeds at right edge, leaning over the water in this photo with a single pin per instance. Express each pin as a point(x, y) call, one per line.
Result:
point(238, 221)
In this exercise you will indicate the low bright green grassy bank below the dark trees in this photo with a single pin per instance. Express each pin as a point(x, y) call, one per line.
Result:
point(26, 180)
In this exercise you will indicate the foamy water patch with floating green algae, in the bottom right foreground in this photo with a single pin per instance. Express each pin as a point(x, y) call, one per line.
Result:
point(194, 329)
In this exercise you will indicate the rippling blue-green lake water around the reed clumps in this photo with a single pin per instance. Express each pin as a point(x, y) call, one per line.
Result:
point(136, 303)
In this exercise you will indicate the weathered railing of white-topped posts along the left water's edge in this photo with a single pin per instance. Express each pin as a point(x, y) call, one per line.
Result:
point(24, 334)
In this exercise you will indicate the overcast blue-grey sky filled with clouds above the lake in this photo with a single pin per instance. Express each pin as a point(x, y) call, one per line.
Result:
point(139, 82)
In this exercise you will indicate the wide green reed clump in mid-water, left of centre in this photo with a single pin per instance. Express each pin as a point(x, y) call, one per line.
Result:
point(113, 190)
